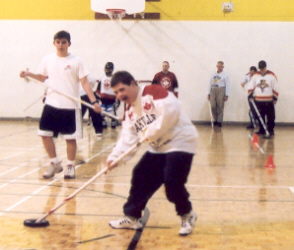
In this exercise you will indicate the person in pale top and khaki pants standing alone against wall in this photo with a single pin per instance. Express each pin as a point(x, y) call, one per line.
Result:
point(218, 93)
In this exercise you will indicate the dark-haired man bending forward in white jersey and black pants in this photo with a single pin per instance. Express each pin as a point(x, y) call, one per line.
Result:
point(154, 113)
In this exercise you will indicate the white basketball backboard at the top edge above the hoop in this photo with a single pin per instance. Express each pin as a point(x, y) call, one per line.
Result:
point(130, 6)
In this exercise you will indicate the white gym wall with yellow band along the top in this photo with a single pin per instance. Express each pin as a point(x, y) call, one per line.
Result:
point(191, 34)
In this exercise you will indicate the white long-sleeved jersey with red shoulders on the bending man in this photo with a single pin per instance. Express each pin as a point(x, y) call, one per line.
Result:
point(157, 115)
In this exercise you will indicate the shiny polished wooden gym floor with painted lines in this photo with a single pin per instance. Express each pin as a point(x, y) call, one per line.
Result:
point(240, 203)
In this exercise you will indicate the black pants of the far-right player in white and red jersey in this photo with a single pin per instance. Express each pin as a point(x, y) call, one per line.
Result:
point(267, 109)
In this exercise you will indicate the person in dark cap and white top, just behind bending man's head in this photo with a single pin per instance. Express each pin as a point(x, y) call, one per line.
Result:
point(106, 94)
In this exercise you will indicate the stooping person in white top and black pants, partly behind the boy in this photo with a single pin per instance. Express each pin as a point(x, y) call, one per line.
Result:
point(96, 117)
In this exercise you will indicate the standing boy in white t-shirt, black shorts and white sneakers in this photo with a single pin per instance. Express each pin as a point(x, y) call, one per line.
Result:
point(61, 115)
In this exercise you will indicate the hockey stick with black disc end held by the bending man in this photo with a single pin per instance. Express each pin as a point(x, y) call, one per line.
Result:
point(41, 222)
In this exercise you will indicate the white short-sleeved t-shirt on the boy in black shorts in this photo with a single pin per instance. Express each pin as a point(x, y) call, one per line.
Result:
point(64, 74)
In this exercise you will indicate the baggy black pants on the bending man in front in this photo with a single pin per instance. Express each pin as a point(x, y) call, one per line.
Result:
point(151, 172)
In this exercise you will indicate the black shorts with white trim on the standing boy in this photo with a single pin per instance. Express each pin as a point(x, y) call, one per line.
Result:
point(66, 122)
